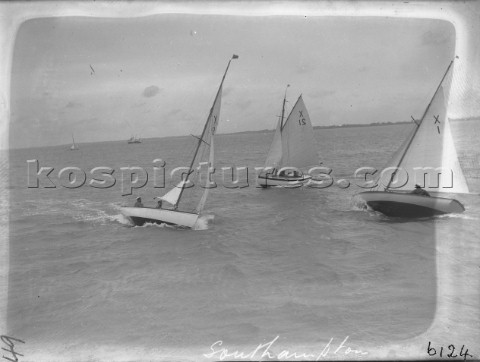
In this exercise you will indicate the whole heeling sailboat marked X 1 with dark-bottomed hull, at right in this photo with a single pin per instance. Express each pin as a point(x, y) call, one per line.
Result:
point(426, 161)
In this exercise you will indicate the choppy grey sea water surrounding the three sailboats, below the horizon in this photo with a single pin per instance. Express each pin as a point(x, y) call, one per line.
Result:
point(302, 264)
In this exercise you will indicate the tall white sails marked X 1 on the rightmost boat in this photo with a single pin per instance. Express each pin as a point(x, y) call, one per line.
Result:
point(428, 157)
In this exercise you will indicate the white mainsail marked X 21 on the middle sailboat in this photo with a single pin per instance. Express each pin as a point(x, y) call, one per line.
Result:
point(298, 143)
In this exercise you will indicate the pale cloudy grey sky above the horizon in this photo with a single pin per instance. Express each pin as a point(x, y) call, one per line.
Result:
point(157, 76)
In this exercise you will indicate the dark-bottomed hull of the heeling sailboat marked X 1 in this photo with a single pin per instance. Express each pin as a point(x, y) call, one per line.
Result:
point(409, 205)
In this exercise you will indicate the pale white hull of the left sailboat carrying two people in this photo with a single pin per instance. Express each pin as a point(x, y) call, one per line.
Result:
point(141, 215)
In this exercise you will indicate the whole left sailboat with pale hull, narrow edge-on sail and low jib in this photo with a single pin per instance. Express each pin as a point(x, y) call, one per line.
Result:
point(185, 208)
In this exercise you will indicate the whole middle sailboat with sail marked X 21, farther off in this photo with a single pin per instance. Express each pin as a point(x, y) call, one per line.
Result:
point(292, 148)
